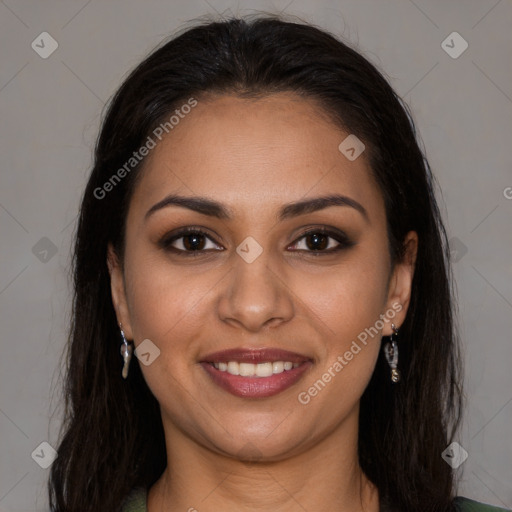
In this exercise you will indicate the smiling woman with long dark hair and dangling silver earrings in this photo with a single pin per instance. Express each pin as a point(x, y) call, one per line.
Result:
point(261, 226)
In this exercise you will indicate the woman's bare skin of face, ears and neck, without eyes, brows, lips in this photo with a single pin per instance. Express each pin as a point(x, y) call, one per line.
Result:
point(255, 156)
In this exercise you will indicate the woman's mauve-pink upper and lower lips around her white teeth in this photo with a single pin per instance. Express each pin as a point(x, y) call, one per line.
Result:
point(256, 387)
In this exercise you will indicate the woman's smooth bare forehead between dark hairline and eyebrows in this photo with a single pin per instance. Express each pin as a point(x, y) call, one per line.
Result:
point(250, 153)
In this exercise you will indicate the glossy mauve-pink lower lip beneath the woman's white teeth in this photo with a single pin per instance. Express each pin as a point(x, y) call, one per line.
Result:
point(256, 387)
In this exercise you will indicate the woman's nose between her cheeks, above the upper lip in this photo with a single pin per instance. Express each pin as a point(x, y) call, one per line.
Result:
point(255, 296)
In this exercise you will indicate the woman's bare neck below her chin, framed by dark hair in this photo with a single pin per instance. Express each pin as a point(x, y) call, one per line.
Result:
point(324, 477)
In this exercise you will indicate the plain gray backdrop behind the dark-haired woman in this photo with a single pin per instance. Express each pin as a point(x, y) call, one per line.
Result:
point(50, 111)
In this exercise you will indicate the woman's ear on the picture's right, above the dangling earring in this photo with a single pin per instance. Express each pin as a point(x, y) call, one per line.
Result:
point(400, 284)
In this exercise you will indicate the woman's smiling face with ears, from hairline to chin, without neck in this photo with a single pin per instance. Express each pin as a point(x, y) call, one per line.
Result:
point(258, 275)
